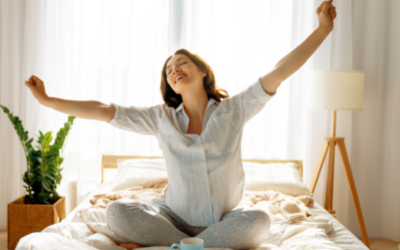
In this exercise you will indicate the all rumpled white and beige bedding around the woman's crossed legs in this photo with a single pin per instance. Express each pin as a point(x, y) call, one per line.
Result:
point(293, 226)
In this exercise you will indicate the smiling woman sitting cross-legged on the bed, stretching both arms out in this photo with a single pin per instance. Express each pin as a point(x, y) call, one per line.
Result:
point(200, 137)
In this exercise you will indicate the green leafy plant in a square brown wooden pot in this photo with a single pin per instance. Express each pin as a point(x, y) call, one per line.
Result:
point(41, 206)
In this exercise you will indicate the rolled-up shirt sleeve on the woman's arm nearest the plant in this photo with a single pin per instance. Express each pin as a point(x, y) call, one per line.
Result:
point(142, 120)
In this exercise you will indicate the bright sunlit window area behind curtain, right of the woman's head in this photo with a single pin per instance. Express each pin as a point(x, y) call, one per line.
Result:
point(242, 41)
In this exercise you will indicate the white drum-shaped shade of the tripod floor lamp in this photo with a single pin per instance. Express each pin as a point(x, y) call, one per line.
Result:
point(336, 89)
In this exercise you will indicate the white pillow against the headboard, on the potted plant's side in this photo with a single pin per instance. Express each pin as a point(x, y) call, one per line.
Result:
point(135, 172)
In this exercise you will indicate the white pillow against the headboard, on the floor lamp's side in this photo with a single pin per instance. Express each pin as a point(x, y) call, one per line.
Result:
point(282, 177)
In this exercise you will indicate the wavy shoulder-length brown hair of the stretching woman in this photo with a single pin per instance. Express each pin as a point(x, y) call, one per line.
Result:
point(172, 99)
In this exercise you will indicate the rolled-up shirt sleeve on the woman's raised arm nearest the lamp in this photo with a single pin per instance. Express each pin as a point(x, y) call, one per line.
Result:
point(251, 101)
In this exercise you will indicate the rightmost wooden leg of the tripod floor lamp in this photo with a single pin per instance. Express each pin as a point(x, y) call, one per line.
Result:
point(350, 180)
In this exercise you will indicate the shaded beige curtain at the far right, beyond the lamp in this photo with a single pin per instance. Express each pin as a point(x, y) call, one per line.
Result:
point(375, 149)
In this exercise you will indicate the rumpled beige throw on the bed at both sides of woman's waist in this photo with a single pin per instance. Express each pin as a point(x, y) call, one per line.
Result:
point(292, 208)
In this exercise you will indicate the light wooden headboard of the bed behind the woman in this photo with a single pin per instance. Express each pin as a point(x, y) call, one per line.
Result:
point(110, 161)
